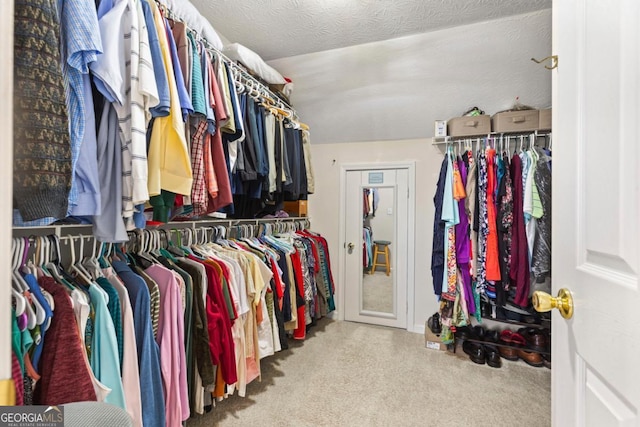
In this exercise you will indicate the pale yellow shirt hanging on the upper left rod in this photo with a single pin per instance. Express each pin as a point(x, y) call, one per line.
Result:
point(168, 157)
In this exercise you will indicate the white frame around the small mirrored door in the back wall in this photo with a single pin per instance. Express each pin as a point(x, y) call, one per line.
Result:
point(410, 166)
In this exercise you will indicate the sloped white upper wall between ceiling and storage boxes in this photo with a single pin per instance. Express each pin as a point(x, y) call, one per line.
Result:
point(395, 89)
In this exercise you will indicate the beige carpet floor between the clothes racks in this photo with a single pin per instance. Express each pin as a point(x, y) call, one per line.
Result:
point(350, 374)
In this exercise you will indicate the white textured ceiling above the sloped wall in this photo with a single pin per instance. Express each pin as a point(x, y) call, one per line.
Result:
point(283, 28)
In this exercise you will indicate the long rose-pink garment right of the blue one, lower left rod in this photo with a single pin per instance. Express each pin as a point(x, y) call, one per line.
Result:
point(170, 339)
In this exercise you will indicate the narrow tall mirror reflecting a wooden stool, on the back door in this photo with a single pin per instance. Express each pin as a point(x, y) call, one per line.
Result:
point(377, 235)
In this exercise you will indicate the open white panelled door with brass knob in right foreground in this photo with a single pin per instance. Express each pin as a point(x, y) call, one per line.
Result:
point(596, 216)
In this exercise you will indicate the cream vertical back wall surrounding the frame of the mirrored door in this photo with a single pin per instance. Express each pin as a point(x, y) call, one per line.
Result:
point(325, 213)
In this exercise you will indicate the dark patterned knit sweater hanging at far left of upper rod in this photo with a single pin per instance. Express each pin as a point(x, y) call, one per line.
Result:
point(42, 159)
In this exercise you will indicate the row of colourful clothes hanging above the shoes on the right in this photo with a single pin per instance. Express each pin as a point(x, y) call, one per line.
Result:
point(502, 206)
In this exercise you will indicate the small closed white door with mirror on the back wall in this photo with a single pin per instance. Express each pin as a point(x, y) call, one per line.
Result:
point(376, 296)
